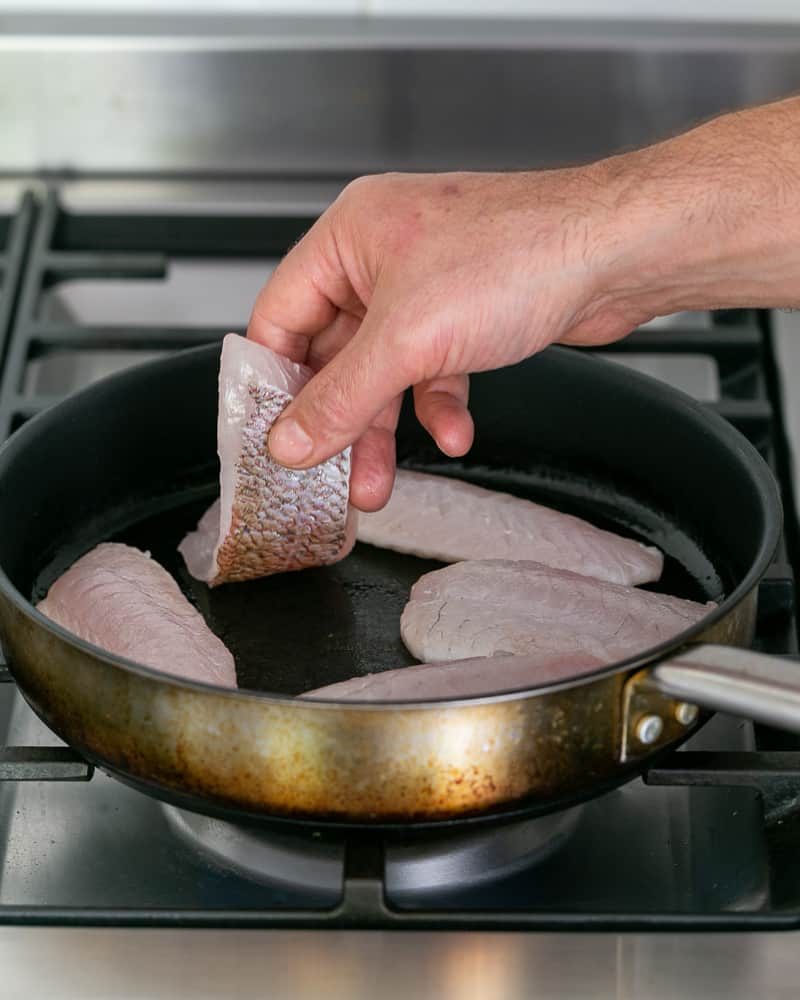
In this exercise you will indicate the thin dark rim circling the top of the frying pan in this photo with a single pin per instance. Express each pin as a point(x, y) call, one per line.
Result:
point(725, 432)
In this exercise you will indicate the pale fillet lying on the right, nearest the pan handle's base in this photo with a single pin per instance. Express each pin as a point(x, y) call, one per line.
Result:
point(481, 608)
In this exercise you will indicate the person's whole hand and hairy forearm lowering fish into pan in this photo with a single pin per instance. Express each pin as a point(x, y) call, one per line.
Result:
point(418, 280)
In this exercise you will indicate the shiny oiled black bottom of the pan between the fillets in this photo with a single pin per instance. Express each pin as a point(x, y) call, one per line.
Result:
point(296, 631)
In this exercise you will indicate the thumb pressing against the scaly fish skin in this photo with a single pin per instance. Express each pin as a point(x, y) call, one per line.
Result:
point(341, 401)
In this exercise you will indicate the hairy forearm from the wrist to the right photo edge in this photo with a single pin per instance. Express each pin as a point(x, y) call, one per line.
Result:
point(710, 219)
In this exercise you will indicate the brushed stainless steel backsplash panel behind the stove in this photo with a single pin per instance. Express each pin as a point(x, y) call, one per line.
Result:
point(343, 96)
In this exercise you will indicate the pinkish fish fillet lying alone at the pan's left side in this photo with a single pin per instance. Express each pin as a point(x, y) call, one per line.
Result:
point(121, 600)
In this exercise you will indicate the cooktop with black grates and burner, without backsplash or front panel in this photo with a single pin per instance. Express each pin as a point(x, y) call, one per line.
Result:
point(706, 840)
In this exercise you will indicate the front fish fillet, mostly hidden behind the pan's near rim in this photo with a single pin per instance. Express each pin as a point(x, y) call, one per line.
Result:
point(456, 679)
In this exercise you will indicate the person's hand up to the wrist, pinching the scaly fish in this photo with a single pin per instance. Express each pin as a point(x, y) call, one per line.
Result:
point(412, 280)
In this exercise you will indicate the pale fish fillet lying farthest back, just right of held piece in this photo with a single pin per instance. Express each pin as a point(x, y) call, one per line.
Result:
point(446, 519)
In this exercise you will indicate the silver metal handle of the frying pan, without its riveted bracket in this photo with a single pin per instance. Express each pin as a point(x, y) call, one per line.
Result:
point(728, 679)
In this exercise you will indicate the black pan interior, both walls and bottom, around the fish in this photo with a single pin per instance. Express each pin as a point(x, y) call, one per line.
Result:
point(134, 460)
